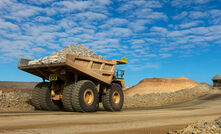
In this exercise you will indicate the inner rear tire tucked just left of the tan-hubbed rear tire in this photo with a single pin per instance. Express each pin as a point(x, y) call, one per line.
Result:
point(67, 97)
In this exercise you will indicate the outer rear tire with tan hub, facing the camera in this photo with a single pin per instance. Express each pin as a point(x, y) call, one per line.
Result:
point(78, 94)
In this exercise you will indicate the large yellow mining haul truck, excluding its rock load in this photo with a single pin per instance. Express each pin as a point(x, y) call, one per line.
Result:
point(77, 84)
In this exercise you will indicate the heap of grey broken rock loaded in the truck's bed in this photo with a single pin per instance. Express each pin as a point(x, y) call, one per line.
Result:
point(59, 57)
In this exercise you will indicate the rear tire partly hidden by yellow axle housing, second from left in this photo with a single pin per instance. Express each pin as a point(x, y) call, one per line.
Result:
point(45, 96)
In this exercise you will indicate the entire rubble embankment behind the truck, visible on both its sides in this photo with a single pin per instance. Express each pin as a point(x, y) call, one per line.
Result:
point(20, 101)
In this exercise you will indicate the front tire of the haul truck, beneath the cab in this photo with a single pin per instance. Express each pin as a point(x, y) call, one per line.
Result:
point(108, 101)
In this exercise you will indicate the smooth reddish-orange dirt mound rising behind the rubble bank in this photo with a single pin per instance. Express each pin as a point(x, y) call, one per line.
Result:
point(160, 85)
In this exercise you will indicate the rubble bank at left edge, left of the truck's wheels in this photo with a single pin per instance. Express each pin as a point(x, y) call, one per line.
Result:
point(15, 101)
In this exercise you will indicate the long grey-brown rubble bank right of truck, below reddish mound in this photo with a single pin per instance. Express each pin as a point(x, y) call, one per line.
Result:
point(166, 99)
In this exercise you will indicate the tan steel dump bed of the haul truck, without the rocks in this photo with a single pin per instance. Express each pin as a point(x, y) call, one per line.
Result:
point(99, 69)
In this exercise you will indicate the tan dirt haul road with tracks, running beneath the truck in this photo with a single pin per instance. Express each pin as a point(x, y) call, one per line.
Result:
point(159, 120)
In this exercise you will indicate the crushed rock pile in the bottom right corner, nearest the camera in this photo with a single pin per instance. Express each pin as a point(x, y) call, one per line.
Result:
point(201, 127)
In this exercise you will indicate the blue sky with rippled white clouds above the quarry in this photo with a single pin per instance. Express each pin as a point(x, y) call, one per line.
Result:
point(165, 39)
